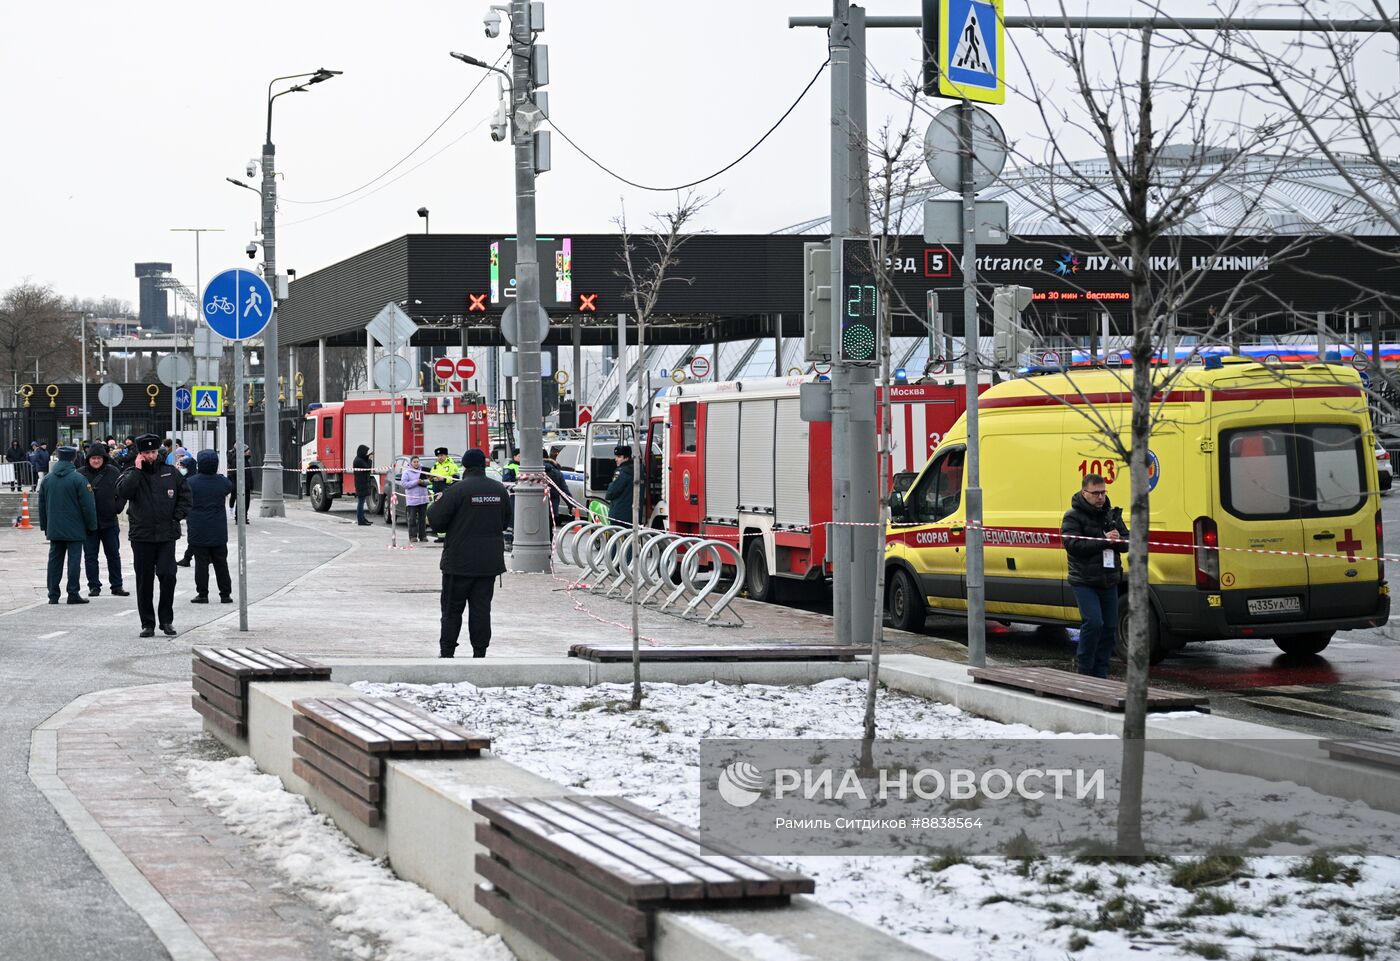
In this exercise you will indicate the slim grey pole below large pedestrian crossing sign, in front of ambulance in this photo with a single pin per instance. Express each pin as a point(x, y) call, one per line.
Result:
point(972, 337)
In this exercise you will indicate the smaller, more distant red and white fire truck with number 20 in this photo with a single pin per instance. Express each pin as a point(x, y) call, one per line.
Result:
point(407, 425)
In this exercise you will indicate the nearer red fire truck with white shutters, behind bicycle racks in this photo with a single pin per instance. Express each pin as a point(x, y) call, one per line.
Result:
point(736, 462)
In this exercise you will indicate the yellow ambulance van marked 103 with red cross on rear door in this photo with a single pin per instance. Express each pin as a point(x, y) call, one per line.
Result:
point(1265, 515)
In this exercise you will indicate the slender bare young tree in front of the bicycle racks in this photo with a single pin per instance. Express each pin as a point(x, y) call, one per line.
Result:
point(647, 267)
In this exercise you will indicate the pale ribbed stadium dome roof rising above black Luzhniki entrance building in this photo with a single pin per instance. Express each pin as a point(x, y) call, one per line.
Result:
point(1265, 195)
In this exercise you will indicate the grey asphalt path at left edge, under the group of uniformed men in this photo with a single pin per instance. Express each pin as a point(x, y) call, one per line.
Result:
point(55, 903)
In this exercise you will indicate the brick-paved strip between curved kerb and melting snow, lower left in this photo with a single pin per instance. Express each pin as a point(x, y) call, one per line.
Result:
point(118, 756)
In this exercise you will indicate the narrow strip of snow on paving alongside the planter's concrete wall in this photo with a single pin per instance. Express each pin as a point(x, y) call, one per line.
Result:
point(381, 917)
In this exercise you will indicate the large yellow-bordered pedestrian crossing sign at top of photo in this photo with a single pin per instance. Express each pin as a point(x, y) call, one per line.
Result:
point(972, 47)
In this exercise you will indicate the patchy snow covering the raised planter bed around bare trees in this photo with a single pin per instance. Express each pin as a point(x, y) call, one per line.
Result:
point(990, 908)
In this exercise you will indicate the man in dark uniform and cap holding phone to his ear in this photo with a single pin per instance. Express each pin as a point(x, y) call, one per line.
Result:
point(157, 499)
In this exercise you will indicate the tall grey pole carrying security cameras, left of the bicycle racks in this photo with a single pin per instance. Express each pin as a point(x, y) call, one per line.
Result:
point(530, 71)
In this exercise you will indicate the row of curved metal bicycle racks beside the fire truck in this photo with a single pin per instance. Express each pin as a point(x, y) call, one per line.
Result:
point(691, 568)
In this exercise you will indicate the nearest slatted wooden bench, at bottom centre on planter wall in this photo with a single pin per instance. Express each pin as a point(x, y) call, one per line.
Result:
point(583, 876)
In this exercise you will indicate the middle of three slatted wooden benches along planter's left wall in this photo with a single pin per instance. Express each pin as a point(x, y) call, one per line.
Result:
point(339, 746)
